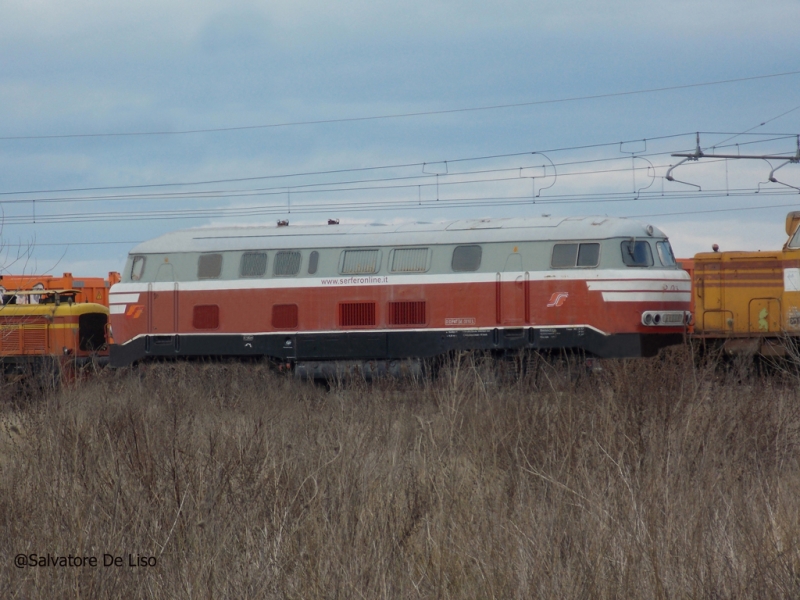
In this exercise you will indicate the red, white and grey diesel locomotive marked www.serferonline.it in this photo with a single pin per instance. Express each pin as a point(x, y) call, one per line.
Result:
point(610, 287)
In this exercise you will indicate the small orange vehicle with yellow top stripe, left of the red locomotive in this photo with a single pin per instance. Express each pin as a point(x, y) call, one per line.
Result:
point(56, 333)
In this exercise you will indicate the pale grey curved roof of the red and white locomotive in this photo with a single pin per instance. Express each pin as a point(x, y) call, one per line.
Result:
point(473, 231)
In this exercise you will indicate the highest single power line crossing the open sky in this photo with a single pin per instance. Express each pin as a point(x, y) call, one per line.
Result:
point(404, 115)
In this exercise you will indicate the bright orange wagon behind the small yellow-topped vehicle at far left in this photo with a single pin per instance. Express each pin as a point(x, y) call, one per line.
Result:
point(87, 289)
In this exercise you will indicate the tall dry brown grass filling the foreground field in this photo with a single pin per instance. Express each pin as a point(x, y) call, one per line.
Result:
point(651, 479)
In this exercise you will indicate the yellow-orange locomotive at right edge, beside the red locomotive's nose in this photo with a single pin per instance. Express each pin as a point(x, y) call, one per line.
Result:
point(748, 302)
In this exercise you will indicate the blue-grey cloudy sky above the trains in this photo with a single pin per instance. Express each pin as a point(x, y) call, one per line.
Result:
point(81, 68)
